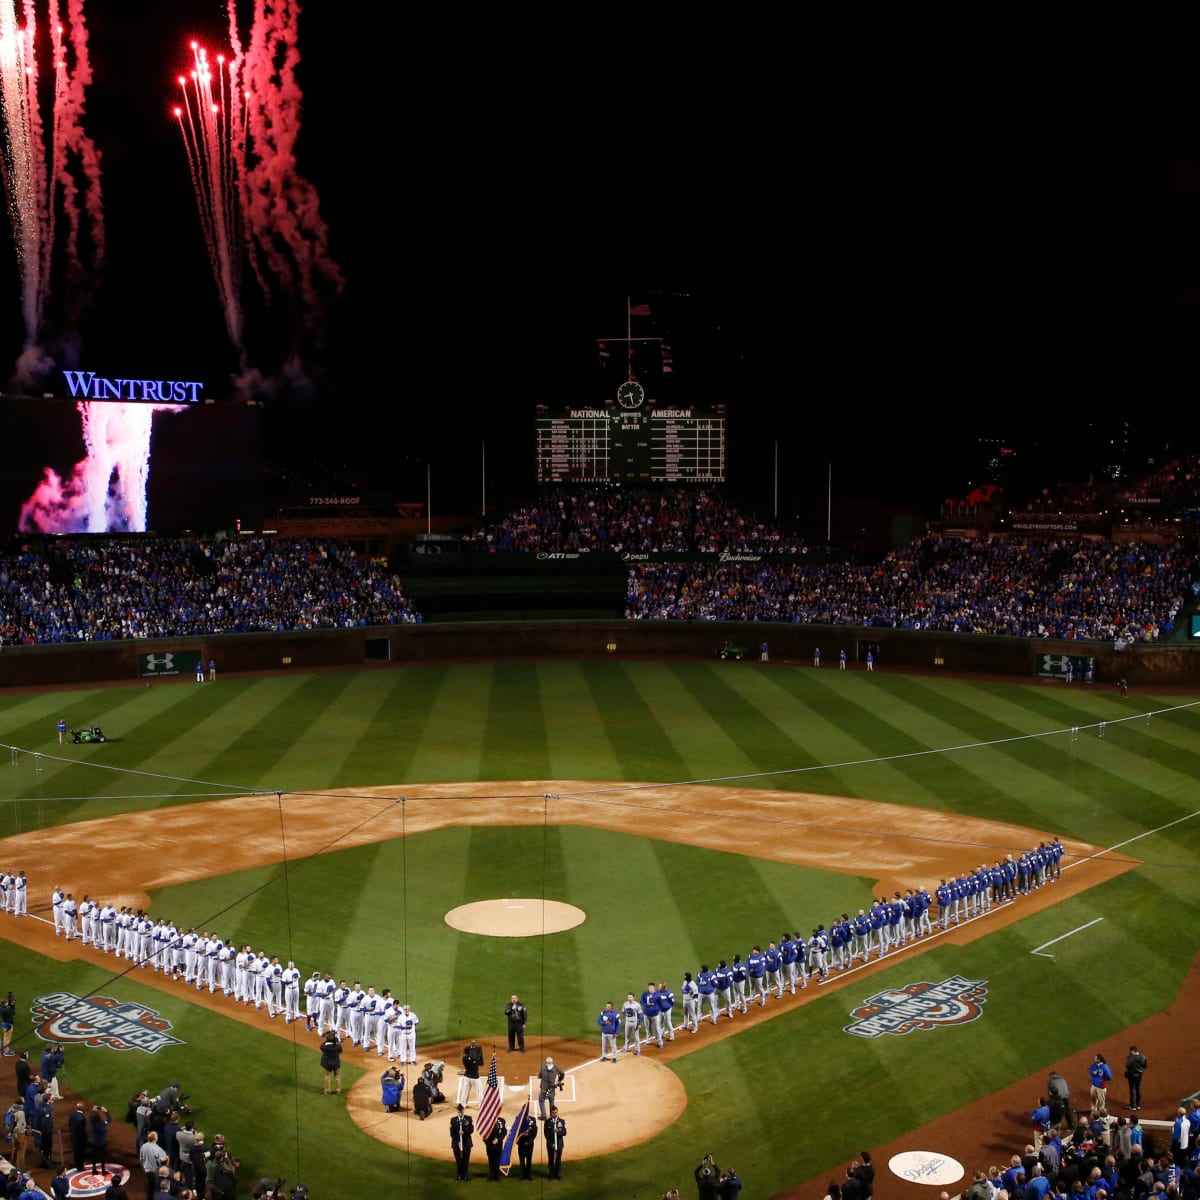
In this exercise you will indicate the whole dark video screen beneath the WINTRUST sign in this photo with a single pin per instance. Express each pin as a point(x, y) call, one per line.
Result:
point(93, 466)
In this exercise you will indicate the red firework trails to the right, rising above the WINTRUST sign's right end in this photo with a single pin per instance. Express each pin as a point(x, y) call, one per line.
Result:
point(241, 125)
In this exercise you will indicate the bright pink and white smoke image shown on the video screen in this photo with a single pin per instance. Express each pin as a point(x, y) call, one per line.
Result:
point(107, 491)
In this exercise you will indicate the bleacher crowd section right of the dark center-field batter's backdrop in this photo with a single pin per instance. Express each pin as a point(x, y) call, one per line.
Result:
point(1067, 589)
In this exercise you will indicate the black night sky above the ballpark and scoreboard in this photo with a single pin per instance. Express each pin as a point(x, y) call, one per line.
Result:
point(872, 244)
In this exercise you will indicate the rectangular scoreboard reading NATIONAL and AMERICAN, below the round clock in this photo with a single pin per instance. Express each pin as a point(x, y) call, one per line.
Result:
point(653, 446)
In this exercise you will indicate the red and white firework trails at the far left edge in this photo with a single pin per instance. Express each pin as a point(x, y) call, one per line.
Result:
point(49, 175)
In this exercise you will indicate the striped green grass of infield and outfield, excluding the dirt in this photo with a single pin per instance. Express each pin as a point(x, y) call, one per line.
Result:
point(784, 1102)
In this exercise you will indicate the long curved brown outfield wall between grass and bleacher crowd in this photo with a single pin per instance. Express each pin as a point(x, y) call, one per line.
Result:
point(1143, 665)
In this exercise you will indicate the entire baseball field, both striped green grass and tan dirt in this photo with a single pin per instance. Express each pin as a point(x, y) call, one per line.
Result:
point(376, 859)
